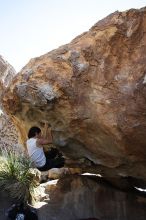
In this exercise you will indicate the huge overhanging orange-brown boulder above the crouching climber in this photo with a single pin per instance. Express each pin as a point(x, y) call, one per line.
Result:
point(92, 93)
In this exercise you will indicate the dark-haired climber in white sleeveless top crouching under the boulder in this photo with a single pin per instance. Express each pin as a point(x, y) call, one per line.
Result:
point(41, 159)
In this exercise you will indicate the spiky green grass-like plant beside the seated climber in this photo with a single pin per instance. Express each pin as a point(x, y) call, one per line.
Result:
point(16, 177)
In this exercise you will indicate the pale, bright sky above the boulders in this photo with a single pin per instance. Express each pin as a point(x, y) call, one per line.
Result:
point(30, 28)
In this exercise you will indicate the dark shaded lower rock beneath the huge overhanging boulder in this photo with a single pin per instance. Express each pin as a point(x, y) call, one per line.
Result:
point(86, 198)
